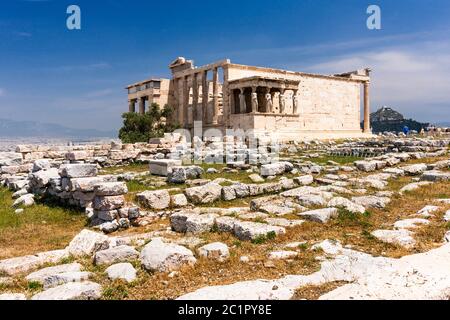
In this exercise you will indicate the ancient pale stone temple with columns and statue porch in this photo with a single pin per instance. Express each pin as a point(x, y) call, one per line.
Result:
point(291, 105)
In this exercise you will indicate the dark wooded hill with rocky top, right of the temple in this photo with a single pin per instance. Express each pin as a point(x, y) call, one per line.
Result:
point(387, 119)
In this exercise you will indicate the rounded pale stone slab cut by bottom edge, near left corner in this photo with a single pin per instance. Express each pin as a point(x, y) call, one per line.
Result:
point(71, 291)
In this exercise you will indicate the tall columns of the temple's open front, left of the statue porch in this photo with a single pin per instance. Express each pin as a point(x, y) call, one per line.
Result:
point(200, 112)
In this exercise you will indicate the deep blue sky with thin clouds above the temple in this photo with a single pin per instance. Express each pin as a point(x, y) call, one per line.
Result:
point(77, 78)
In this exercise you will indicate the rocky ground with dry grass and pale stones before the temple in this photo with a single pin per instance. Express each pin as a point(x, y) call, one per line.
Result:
point(328, 220)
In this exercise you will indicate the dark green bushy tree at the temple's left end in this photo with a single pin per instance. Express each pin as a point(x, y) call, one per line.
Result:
point(141, 127)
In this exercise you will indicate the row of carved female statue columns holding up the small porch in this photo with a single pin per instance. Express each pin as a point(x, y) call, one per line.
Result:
point(268, 100)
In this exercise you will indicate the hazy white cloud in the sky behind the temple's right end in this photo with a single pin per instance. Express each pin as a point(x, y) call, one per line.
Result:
point(415, 79)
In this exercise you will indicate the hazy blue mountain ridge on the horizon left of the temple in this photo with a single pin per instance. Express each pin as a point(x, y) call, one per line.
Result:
point(12, 128)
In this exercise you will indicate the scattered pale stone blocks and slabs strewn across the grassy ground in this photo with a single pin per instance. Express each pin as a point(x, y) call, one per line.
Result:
point(305, 190)
